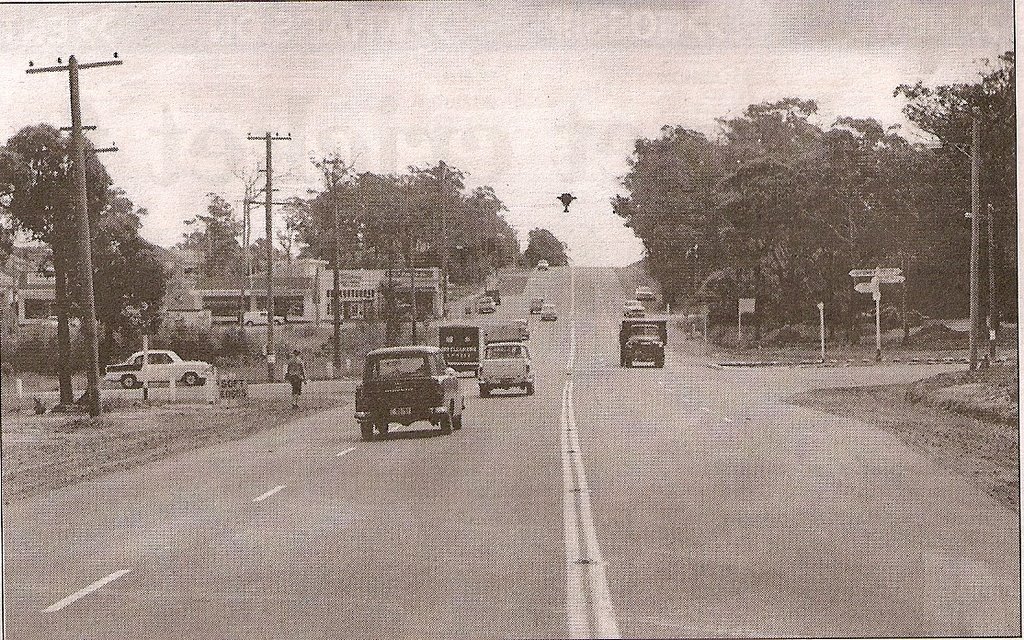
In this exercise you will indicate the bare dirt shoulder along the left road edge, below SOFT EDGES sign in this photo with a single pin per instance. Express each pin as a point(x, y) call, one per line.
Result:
point(44, 453)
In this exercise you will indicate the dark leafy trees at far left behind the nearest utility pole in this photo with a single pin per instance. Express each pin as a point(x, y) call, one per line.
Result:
point(36, 203)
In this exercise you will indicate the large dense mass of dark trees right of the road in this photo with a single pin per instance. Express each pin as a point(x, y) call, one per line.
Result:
point(780, 206)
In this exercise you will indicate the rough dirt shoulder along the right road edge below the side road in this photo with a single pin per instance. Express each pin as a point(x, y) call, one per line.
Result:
point(966, 421)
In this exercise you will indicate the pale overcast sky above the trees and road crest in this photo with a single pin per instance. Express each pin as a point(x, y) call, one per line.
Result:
point(531, 100)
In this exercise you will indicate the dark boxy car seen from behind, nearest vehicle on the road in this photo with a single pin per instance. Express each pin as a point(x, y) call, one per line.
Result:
point(405, 386)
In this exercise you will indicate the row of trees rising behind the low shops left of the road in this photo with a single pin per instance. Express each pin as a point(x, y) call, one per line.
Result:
point(380, 221)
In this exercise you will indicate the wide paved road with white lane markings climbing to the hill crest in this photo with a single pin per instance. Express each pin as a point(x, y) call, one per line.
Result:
point(634, 502)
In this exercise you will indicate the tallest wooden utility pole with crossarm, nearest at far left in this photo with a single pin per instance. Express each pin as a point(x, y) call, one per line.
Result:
point(79, 194)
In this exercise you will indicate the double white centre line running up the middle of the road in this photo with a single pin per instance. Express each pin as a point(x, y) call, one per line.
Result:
point(588, 601)
